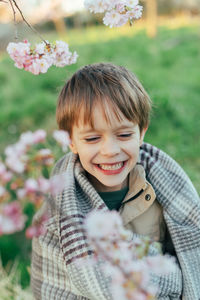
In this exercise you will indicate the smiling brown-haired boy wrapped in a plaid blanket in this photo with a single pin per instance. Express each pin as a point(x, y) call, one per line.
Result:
point(106, 111)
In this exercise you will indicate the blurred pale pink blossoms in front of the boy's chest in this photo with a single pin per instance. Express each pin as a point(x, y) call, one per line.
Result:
point(124, 256)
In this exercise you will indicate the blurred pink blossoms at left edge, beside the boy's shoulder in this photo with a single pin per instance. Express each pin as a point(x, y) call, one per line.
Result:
point(24, 178)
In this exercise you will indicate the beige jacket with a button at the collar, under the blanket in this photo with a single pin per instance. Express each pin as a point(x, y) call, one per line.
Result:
point(140, 211)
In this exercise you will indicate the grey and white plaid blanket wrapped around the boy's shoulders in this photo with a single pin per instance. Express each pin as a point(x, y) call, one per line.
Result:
point(54, 273)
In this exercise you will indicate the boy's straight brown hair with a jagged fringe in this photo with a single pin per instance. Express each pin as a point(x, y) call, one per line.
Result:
point(112, 86)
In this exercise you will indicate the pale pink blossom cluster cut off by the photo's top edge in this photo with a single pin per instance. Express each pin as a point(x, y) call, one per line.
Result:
point(117, 12)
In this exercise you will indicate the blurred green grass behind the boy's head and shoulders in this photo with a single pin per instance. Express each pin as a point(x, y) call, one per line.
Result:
point(168, 67)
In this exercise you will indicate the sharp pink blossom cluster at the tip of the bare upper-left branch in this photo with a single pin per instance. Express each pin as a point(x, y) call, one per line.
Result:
point(41, 57)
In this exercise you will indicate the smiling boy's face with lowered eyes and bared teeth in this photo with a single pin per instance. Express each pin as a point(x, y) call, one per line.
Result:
point(108, 152)
